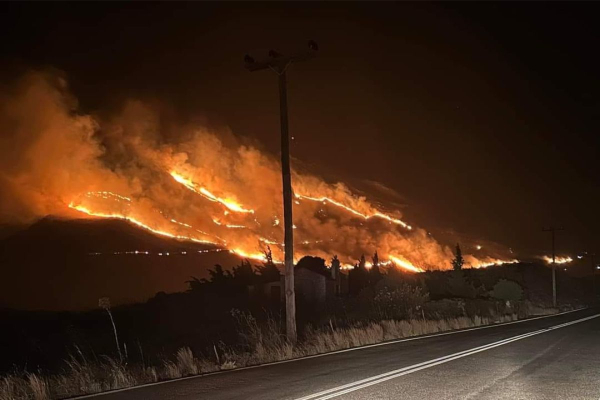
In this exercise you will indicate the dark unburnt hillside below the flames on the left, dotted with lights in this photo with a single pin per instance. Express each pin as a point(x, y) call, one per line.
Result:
point(58, 264)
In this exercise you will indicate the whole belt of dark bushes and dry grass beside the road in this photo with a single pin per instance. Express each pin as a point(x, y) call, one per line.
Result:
point(218, 326)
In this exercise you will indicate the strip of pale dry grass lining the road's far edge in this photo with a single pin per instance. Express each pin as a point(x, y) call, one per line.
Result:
point(261, 344)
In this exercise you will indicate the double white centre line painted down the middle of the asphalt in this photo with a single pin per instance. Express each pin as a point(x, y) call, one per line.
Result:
point(374, 380)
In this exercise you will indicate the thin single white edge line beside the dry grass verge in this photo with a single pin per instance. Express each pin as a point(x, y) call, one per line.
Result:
point(453, 332)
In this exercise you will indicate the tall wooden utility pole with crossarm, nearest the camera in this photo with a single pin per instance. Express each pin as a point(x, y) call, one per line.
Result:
point(279, 64)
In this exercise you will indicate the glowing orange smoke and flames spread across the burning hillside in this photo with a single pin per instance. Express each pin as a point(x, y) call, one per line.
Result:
point(182, 181)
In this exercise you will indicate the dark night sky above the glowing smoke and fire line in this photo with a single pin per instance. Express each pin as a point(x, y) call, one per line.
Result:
point(484, 117)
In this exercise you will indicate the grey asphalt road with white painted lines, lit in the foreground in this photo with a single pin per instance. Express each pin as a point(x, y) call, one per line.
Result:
point(547, 358)
